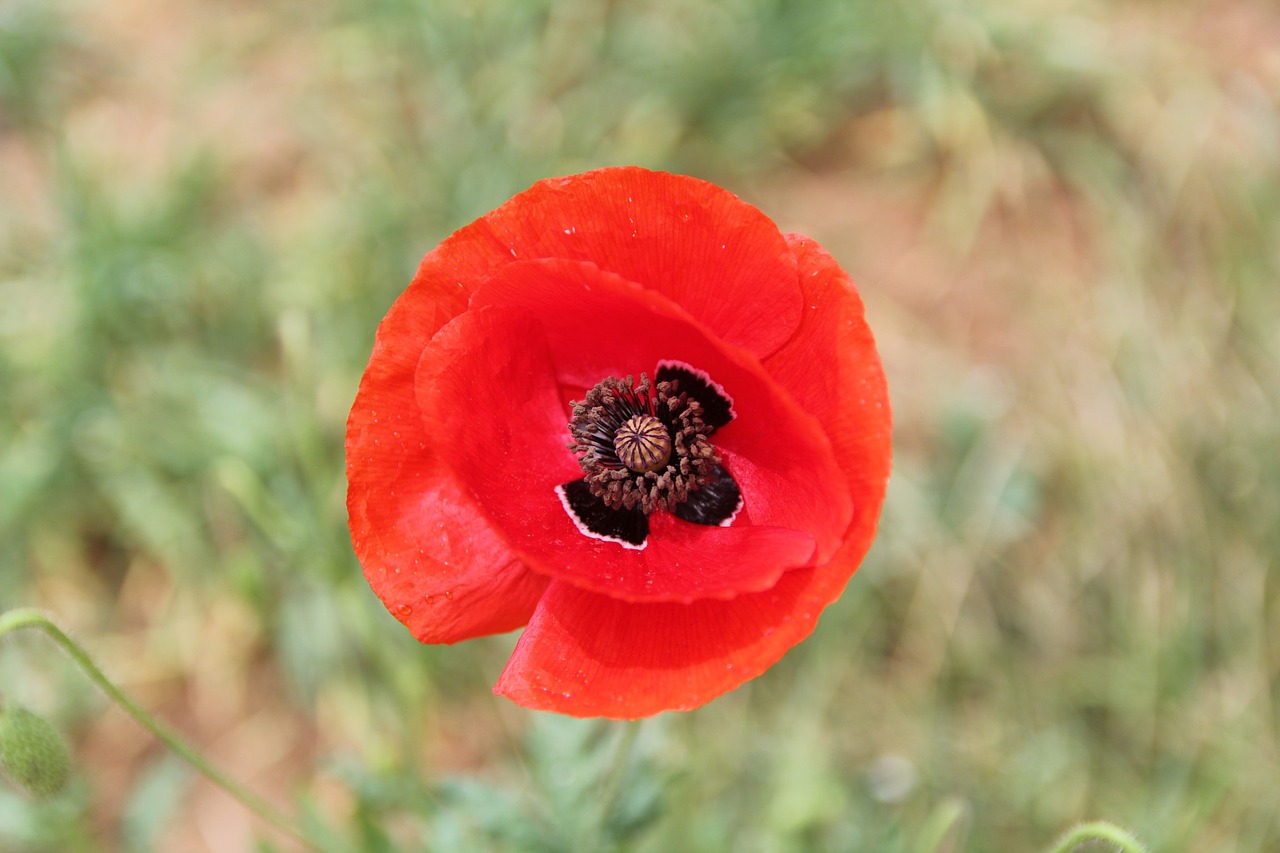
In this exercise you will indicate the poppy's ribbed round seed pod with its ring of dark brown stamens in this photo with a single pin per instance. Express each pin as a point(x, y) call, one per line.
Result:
point(642, 445)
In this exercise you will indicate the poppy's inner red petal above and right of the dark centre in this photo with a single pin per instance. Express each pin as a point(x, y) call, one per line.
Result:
point(598, 325)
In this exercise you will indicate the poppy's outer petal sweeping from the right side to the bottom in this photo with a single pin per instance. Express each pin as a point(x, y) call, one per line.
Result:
point(588, 655)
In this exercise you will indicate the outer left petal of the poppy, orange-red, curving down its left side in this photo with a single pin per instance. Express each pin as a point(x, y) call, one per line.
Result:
point(426, 551)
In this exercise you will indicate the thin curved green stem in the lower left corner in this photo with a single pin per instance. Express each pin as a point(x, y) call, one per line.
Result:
point(29, 618)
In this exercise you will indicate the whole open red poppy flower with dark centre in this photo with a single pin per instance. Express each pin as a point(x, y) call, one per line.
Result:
point(624, 412)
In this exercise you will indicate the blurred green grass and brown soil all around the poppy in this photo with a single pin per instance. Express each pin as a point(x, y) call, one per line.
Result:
point(1066, 221)
